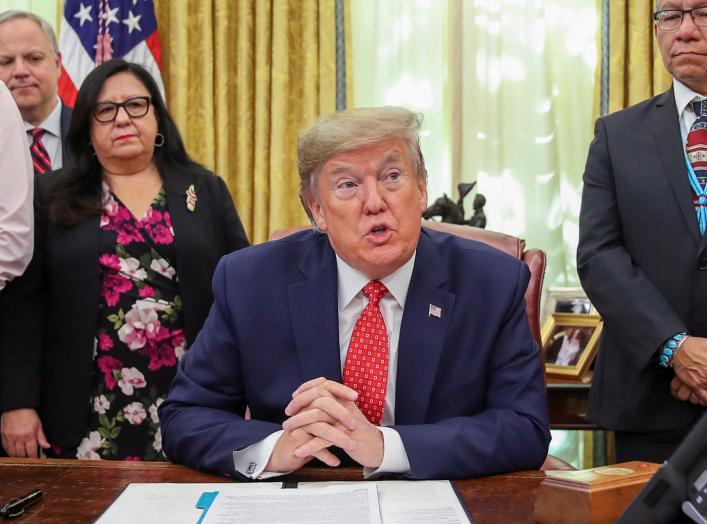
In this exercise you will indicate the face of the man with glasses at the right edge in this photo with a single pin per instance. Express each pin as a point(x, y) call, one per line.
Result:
point(684, 50)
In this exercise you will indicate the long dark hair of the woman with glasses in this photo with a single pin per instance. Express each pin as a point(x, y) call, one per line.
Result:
point(76, 195)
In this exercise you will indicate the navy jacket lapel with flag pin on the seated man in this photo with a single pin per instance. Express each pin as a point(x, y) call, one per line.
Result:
point(422, 334)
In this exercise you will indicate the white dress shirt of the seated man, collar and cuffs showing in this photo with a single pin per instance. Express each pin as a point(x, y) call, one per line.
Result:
point(251, 461)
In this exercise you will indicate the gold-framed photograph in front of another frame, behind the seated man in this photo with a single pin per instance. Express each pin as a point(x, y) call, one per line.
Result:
point(570, 342)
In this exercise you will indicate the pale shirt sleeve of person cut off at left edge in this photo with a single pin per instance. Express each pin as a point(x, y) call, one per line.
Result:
point(16, 192)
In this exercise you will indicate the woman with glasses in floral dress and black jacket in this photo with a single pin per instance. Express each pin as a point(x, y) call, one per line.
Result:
point(127, 238)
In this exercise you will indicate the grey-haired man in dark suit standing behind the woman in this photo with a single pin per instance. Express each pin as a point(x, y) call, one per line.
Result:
point(30, 66)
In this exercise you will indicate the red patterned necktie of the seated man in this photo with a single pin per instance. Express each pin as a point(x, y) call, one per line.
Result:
point(366, 366)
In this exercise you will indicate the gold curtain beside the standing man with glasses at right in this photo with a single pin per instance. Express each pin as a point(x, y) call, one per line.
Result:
point(636, 70)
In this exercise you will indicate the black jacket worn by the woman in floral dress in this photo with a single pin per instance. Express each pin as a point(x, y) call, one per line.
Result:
point(48, 317)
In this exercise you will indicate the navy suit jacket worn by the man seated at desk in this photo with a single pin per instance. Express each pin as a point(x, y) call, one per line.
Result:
point(470, 394)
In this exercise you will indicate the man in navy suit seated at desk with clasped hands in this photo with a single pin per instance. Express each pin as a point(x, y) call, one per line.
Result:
point(453, 382)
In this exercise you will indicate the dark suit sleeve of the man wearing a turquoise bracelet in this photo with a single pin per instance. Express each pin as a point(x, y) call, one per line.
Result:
point(616, 285)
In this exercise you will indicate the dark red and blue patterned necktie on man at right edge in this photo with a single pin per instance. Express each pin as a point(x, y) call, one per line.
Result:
point(696, 162)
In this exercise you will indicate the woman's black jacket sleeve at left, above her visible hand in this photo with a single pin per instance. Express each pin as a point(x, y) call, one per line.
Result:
point(22, 324)
